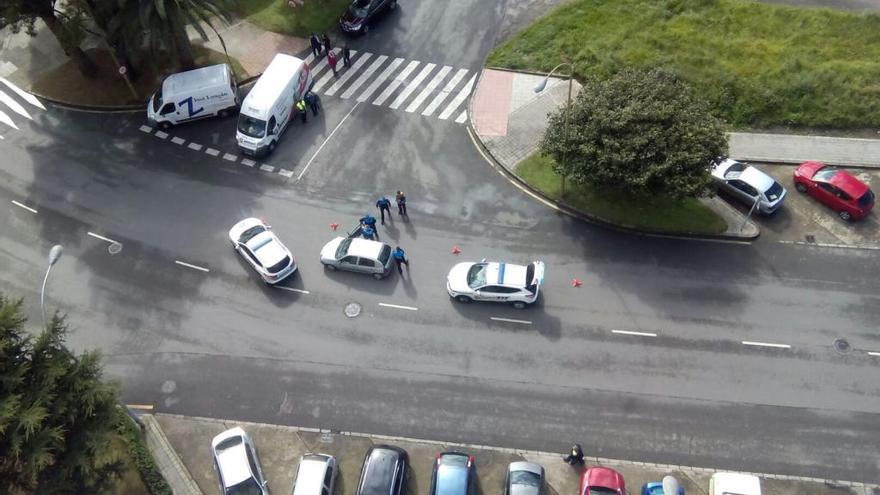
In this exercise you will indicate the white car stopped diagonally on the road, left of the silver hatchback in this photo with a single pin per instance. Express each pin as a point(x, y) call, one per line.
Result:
point(256, 243)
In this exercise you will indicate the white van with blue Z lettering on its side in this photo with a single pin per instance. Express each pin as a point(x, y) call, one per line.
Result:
point(194, 94)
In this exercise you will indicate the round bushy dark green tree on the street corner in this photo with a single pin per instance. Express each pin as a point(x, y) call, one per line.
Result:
point(641, 131)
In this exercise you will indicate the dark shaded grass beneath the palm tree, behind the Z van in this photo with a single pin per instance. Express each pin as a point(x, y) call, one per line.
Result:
point(65, 83)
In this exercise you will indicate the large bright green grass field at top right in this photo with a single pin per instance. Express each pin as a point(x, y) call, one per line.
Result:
point(759, 65)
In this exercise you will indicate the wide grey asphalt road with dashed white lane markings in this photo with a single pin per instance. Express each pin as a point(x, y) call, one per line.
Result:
point(221, 343)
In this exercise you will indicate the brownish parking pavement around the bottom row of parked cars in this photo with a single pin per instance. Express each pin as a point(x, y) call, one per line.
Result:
point(279, 449)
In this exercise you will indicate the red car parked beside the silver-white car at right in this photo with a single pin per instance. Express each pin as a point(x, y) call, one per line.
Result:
point(837, 188)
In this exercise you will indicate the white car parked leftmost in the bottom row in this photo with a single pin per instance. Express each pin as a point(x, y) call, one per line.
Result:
point(237, 465)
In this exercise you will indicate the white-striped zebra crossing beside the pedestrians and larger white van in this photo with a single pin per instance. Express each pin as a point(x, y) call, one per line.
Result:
point(413, 86)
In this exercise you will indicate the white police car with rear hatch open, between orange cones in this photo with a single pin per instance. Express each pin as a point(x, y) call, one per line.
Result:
point(497, 282)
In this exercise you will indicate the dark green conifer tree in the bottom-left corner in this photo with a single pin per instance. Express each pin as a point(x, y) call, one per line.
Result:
point(56, 412)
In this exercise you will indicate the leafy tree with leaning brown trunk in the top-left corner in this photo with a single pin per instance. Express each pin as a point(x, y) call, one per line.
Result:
point(67, 27)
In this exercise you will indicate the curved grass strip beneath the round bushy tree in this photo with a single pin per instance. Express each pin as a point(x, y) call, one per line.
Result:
point(656, 214)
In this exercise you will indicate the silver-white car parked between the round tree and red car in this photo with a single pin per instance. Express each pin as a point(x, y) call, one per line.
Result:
point(748, 184)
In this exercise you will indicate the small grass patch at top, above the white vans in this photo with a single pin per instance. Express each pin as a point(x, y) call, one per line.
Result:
point(277, 16)
